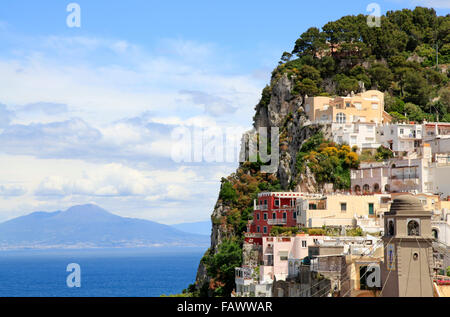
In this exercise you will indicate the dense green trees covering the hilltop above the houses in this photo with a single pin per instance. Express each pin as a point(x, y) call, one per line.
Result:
point(406, 57)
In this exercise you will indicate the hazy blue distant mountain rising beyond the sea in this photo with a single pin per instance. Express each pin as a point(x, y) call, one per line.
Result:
point(89, 226)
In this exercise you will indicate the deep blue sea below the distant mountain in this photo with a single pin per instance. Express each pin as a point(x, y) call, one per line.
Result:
point(104, 273)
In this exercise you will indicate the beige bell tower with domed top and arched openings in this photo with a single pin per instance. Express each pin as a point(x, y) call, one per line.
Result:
point(406, 271)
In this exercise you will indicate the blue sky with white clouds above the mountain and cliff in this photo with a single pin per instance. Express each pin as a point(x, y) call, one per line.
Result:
point(88, 114)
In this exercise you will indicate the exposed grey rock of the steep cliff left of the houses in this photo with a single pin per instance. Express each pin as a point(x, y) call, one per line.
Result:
point(285, 111)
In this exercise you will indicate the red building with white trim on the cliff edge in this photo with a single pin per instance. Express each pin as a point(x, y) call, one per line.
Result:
point(273, 209)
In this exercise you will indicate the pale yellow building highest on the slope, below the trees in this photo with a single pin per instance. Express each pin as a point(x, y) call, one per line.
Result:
point(367, 106)
